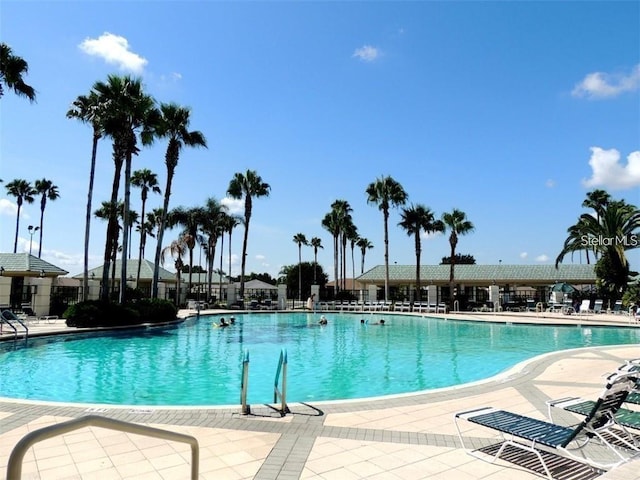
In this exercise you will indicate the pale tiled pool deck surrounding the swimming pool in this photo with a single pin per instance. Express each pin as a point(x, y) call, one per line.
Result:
point(402, 437)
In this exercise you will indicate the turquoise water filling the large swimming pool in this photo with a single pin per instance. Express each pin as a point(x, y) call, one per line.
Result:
point(197, 364)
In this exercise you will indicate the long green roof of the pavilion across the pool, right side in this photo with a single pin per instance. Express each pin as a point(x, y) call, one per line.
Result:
point(483, 274)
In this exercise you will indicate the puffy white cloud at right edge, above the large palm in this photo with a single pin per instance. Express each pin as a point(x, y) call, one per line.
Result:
point(609, 172)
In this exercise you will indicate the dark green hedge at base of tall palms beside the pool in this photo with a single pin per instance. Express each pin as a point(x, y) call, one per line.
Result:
point(96, 313)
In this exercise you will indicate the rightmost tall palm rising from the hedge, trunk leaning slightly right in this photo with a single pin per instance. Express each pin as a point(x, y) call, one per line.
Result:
point(174, 126)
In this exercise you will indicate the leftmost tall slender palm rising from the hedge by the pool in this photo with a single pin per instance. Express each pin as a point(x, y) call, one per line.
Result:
point(89, 109)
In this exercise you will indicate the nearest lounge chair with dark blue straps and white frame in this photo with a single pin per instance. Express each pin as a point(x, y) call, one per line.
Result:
point(534, 436)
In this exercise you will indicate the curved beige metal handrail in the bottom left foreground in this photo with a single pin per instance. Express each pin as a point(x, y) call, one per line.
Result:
point(14, 467)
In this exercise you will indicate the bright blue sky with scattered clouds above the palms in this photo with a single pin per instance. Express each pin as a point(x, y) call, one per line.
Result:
point(509, 111)
